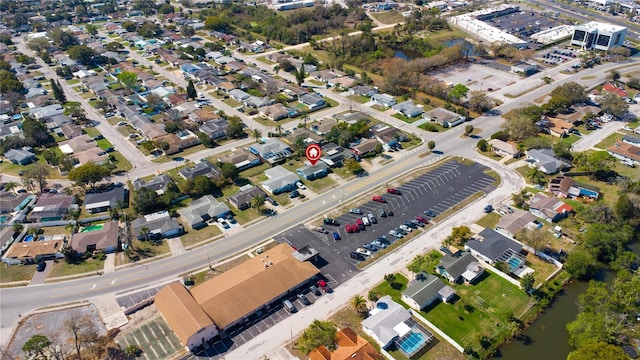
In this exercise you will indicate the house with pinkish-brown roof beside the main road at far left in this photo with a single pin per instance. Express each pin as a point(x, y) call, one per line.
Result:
point(106, 240)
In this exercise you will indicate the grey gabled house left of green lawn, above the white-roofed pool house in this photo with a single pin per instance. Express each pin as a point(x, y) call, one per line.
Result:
point(424, 290)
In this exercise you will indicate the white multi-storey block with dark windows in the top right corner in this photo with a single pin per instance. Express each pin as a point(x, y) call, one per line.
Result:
point(598, 36)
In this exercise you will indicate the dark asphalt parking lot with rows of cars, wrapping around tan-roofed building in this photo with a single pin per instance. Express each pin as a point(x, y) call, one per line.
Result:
point(437, 190)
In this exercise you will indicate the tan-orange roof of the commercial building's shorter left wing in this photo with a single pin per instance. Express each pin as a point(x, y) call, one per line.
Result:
point(181, 312)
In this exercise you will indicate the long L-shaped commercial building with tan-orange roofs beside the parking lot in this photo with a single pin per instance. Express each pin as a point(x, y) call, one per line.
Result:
point(198, 314)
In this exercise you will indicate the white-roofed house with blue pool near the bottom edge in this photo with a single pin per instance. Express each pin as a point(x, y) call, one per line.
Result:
point(390, 323)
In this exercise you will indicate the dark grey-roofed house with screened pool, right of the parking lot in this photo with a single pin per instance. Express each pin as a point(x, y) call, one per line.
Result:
point(492, 247)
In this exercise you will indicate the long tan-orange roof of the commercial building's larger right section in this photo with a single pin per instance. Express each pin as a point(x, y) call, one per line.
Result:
point(245, 288)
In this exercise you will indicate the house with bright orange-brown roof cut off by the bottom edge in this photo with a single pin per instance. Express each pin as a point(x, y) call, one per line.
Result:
point(349, 346)
